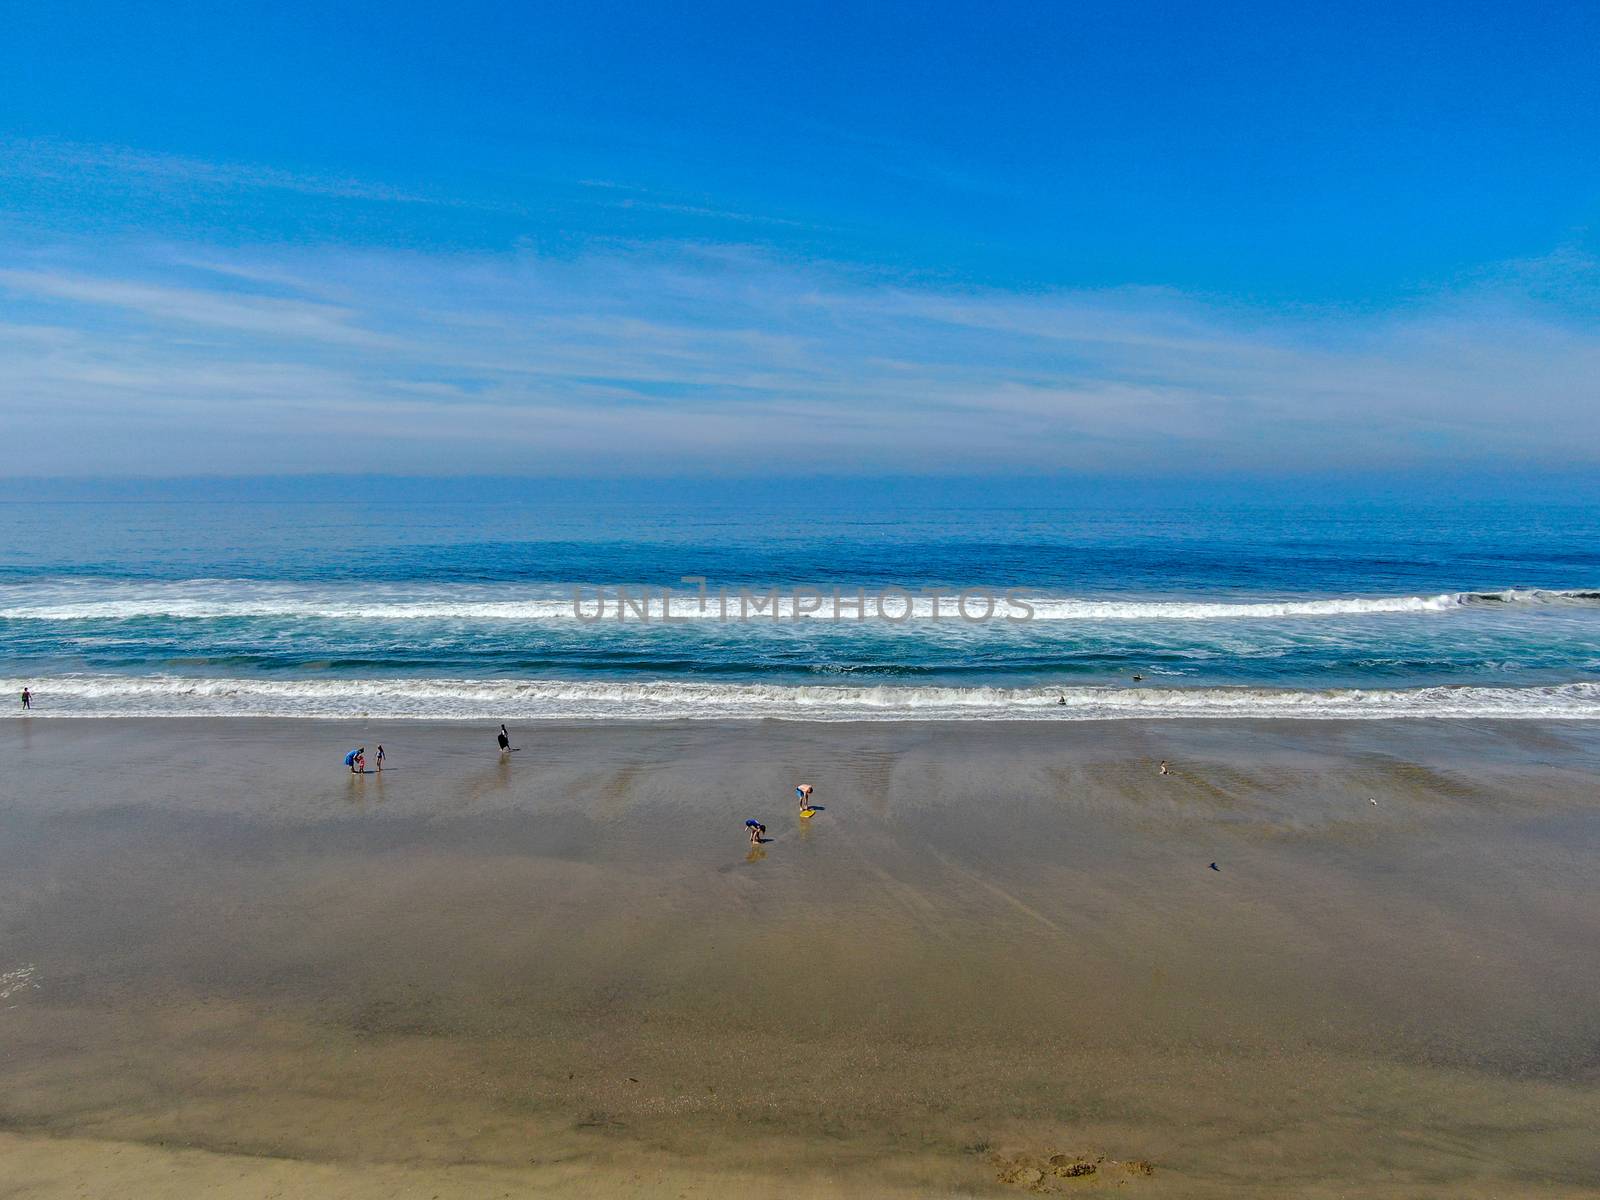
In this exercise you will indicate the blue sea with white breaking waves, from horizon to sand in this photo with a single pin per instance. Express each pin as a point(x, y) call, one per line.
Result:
point(511, 610)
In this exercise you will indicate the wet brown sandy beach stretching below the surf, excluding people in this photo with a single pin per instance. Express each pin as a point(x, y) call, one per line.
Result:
point(998, 959)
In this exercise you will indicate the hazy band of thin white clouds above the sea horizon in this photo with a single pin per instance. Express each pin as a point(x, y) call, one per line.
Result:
point(730, 361)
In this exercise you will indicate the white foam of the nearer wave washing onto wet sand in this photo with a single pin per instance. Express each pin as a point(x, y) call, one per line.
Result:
point(511, 700)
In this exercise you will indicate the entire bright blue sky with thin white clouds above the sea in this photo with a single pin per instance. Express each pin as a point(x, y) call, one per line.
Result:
point(626, 239)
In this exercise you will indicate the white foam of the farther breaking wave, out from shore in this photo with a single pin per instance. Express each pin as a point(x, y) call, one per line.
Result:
point(218, 599)
